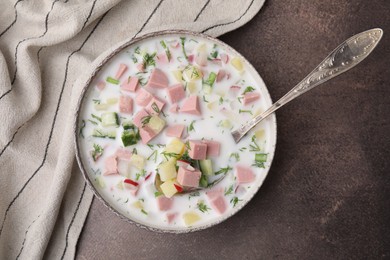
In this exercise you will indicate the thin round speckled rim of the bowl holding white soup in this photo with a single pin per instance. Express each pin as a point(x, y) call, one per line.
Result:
point(85, 87)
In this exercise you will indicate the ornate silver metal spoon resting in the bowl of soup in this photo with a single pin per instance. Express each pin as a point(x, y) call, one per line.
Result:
point(344, 57)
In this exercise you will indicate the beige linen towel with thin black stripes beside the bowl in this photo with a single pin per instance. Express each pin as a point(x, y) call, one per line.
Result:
point(45, 47)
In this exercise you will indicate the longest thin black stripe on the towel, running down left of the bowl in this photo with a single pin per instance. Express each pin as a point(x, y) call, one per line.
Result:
point(52, 126)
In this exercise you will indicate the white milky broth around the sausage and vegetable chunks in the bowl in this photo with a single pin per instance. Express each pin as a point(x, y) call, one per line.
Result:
point(142, 208)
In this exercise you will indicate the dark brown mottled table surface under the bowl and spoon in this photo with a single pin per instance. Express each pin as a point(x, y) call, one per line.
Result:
point(327, 194)
